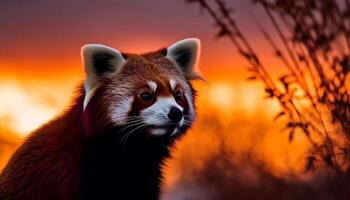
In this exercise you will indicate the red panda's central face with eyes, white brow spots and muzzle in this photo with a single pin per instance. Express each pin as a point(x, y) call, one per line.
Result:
point(163, 106)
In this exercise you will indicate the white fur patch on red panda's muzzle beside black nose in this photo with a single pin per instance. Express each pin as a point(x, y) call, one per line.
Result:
point(157, 113)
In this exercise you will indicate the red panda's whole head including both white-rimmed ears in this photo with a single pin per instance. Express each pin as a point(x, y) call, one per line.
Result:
point(150, 92)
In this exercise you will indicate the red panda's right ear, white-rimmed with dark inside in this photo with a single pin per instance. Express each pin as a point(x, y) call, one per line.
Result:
point(185, 54)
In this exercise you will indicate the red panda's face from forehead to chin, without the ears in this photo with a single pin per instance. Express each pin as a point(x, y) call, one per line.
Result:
point(150, 93)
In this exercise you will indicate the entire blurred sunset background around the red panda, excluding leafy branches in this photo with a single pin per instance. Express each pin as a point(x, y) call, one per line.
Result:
point(235, 146)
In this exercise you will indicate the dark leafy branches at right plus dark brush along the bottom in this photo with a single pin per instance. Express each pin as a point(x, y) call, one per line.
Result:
point(313, 43)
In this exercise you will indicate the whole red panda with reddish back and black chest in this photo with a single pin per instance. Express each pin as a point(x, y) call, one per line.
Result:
point(113, 140)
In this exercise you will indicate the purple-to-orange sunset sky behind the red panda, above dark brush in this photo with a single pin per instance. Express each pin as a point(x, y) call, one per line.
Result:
point(40, 65)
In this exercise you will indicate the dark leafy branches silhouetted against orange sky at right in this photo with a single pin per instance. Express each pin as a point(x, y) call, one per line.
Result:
point(312, 93)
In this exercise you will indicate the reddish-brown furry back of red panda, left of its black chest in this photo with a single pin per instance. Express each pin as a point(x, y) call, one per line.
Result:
point(49, 161)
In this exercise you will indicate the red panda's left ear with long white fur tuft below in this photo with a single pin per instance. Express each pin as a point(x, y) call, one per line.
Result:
point(108, 58)
